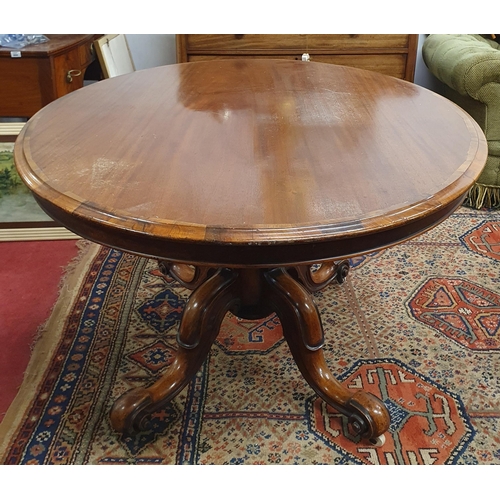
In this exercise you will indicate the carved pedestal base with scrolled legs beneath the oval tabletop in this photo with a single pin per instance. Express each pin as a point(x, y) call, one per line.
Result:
point(250, 293)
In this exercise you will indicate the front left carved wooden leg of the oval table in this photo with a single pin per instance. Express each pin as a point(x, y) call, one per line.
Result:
point(199, 327)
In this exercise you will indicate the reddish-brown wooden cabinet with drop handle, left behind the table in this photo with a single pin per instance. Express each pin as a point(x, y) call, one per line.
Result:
point(42, 73)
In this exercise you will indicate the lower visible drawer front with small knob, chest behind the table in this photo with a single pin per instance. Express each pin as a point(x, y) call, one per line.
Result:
point(387, 64)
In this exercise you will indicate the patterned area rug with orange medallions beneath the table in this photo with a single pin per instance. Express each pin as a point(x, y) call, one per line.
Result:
point(417, 324)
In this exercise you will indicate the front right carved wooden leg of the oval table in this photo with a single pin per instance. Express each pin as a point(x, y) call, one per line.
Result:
point(303, 331)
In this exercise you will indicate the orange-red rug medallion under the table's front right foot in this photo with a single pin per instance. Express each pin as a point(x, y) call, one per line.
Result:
point(429, 424)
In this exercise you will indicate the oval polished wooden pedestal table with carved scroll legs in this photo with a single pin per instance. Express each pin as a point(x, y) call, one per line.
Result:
point(251, 182)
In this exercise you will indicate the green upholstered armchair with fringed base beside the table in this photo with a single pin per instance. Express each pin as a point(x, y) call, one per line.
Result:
point(469, 66)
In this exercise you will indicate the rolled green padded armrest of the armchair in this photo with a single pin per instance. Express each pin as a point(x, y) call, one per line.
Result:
point(463, 62)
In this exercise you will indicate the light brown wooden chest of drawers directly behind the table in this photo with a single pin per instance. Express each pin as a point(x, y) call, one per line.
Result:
point(393, 55)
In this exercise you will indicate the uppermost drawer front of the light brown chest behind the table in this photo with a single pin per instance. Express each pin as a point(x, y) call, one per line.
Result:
point(294, 42)
